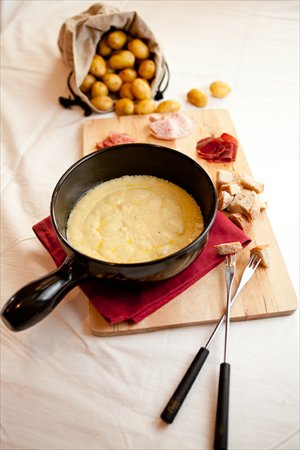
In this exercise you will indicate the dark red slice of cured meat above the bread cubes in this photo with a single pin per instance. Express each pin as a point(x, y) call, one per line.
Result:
point(221, 149)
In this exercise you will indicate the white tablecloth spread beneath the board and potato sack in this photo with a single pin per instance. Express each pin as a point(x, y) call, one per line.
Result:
point(63, 388)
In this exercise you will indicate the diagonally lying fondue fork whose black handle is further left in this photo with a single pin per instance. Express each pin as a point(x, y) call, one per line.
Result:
point(175, 402)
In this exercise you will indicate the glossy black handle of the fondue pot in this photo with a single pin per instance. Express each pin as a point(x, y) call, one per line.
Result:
point(37, 299)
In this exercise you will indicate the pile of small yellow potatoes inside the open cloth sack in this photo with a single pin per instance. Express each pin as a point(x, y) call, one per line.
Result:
point(120, 75)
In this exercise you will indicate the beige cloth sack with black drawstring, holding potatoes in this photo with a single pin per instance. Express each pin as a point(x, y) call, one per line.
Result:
point(78, 40)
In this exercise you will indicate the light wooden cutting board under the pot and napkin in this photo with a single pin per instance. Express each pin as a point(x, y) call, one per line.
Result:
point(268, 294)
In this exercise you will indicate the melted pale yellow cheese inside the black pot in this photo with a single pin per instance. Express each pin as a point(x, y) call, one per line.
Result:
point(134, 218)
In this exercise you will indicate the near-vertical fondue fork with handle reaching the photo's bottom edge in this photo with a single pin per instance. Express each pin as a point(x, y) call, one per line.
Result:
point(221, 429)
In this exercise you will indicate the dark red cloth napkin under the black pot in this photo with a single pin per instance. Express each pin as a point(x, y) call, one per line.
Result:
point(118, 301)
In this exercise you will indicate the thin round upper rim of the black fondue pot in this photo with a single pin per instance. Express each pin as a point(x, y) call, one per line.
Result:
point(176, 254)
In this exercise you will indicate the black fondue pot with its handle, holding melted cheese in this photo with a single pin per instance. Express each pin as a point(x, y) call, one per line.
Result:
point(37, 299)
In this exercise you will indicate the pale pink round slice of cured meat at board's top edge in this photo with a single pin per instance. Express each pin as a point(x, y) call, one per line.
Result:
point(171, 126)
